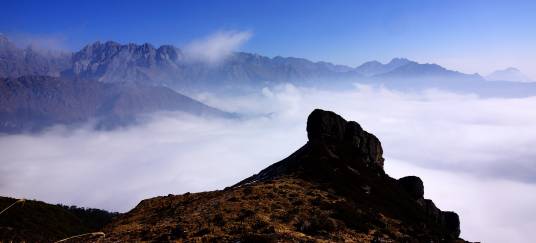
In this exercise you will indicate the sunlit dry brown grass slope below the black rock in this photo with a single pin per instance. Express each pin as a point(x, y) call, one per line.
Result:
point(286, 210)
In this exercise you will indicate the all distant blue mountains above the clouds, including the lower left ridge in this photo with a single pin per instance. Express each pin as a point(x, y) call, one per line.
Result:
point(114, 83)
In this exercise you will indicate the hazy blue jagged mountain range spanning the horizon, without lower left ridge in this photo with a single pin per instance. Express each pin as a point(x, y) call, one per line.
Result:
point(168, 66)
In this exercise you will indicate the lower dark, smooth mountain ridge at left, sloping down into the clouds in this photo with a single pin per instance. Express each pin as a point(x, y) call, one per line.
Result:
point(31, 103)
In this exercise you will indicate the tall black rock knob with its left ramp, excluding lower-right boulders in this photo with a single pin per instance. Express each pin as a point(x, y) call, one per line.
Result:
point(336, 149)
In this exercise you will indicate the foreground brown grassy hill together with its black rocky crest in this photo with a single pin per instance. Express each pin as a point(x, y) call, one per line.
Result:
point(333, 189)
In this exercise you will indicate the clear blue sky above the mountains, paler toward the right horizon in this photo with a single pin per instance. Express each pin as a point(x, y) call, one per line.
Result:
point(472, 36)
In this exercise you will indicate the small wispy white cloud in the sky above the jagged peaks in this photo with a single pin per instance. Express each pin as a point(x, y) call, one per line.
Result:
point(216, 47)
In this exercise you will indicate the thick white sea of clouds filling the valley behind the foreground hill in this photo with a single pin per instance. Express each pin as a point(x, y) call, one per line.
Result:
point(475, 155)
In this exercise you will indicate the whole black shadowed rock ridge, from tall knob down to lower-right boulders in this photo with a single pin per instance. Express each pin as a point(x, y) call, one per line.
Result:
point(345, 158)
